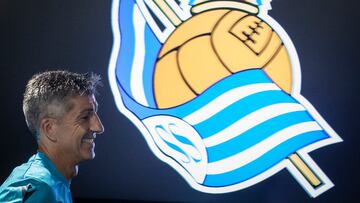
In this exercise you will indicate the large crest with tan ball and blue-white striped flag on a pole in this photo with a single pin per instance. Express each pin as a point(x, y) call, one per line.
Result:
point(214, 88)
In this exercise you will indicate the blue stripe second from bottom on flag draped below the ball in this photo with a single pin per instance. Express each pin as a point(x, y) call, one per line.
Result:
point(255, 135)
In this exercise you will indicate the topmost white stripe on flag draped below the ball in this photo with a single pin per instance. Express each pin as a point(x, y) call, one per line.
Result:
point(227, 99)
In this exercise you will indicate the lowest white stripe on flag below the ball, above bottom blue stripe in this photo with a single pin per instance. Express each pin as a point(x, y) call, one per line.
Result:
point(261, 148)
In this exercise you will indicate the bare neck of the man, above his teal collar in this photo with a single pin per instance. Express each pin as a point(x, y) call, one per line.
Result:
point(63, 165)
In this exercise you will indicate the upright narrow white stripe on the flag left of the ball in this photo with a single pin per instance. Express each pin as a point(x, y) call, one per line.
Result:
point(136, 78)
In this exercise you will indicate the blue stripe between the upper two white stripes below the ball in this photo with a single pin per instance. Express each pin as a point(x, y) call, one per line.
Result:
point(241, 108)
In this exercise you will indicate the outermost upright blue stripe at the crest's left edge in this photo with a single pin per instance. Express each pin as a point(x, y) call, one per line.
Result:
point(126, 53)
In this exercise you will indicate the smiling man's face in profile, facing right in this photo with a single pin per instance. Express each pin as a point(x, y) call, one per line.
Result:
point(78, 127)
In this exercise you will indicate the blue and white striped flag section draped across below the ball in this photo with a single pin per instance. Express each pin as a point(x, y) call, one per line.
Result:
point(246, 124)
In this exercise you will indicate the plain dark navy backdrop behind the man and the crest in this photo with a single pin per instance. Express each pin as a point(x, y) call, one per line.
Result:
point(38, 35)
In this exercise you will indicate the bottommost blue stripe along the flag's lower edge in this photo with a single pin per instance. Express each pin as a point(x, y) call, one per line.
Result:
point(265, 162)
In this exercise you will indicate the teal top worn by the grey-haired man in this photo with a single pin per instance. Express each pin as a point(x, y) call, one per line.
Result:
point(38, 180)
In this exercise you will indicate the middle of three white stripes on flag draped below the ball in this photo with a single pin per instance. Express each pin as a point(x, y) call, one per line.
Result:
point(250, 121)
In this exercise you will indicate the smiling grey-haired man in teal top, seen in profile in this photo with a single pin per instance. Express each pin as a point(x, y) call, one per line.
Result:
point(61, 111)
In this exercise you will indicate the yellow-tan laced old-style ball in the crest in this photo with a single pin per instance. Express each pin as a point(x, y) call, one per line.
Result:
point(213, 45)
